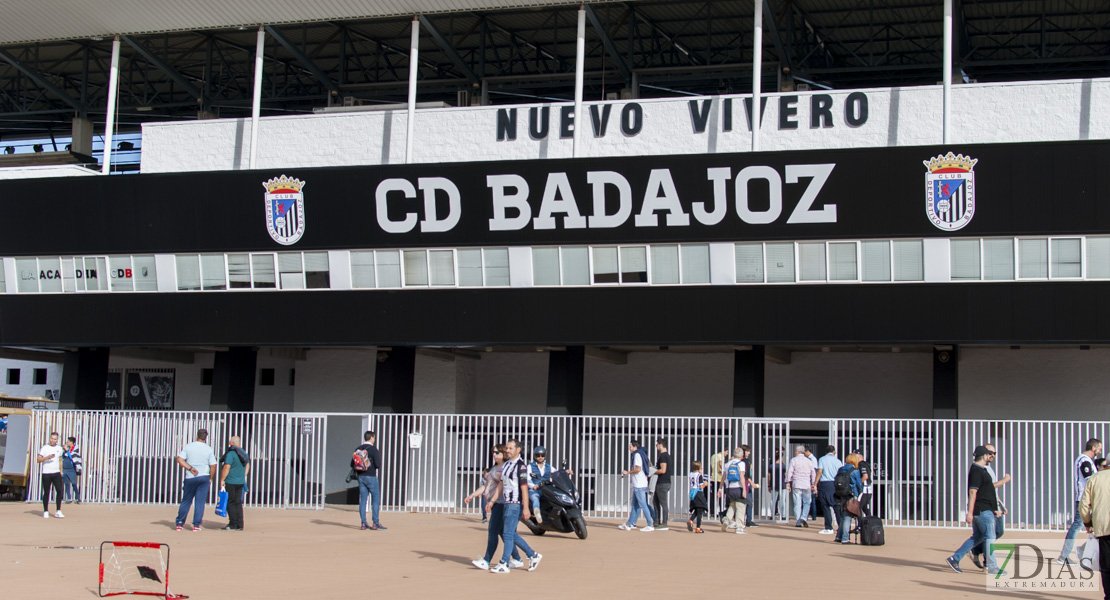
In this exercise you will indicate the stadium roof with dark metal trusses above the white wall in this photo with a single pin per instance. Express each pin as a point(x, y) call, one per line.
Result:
point(196, 58)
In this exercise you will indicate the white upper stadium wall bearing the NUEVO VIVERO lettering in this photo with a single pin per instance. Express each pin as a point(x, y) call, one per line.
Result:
point(896, 117)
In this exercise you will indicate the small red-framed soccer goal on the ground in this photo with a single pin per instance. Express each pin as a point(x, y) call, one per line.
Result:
point(137, 568)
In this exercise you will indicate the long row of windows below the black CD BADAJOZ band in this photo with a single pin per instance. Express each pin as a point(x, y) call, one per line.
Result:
point(869, 261)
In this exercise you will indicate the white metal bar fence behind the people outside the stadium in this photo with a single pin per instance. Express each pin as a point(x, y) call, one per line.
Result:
point(432, 462)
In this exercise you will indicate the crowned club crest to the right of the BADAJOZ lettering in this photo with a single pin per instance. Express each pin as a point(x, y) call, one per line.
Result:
point(950, 191)
